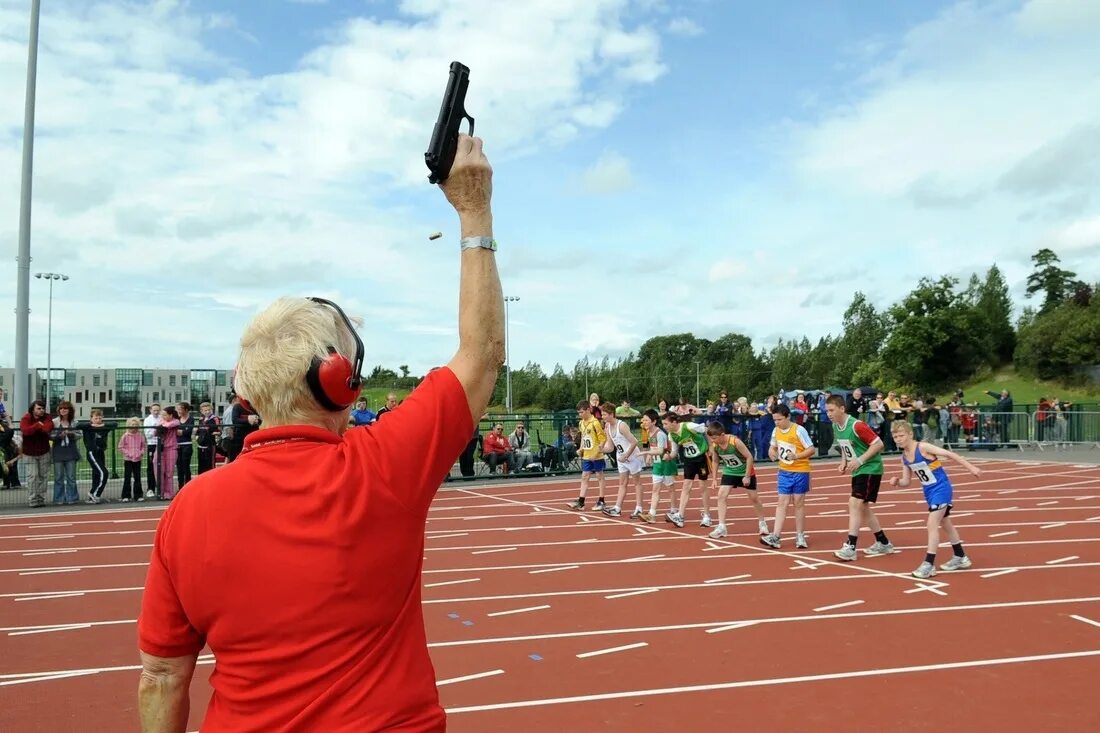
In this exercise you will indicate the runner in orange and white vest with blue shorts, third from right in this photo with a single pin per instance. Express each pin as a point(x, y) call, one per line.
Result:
point(793, 447)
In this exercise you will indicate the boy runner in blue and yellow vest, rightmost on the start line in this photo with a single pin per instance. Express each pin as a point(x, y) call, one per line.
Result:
point(921, 460)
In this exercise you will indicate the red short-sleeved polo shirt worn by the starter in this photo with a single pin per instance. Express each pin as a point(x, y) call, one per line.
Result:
point(300, 565)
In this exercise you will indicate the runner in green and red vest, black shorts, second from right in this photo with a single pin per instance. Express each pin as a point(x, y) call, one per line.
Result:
point(862, 454)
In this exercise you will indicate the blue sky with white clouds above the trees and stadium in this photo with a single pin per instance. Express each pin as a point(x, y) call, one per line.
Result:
point(661, 166)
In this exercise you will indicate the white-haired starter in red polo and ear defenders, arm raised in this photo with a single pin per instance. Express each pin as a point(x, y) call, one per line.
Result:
point(300, 564)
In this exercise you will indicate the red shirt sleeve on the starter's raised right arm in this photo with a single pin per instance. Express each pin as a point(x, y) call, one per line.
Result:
point(413, 451)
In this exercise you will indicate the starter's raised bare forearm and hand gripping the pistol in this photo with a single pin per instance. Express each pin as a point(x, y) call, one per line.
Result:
point(481, 303)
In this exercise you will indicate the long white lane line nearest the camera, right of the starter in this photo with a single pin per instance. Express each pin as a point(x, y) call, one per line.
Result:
point(774, 682)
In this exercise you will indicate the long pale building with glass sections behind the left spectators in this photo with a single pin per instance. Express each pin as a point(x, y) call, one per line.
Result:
point(127, 392)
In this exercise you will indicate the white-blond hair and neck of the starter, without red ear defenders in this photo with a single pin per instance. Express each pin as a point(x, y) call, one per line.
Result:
point(277, 351)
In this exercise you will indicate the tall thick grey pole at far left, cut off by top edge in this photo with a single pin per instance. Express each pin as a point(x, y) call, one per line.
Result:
point(20, 399)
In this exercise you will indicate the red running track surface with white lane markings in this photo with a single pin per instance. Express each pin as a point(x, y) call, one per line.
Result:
point(969, 652)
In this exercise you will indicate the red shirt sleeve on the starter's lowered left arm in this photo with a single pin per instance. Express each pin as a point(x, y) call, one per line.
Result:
point(163, 628)
